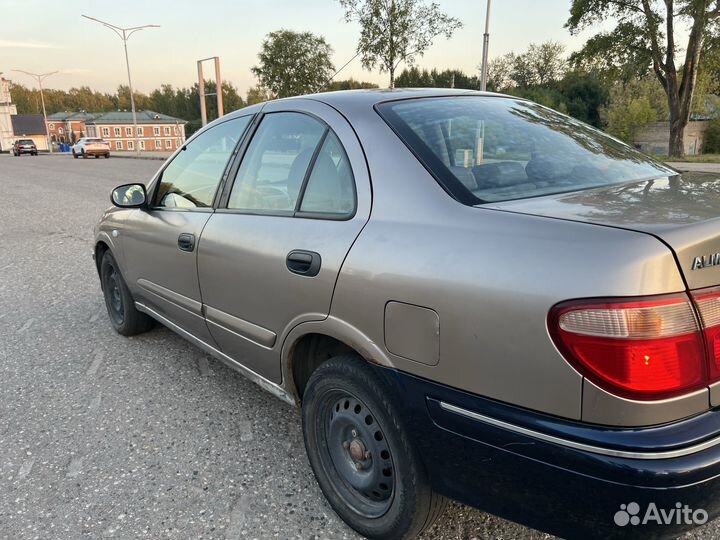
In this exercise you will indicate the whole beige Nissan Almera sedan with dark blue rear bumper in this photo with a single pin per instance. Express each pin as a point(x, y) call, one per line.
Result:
point(469, 295)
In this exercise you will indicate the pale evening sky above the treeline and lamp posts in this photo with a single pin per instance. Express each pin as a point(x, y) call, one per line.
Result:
point(47, 35)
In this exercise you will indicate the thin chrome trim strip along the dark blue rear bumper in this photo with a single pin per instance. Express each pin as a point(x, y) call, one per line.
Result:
point(667, 454)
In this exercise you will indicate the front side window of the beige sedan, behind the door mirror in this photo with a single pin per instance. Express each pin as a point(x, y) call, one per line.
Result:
point(191, 179)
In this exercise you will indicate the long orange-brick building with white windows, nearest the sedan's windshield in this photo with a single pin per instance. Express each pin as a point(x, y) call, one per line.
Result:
point(155, 131)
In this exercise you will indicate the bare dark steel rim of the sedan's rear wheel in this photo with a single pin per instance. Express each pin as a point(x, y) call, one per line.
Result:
point(354, 450)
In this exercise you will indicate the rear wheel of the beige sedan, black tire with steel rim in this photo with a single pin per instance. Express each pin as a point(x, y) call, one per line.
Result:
point(346, 413)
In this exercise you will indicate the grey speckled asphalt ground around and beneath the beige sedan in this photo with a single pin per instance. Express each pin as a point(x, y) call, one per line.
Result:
point(108, 437)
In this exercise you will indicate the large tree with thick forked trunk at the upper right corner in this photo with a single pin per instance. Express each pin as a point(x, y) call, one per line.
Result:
point(648, 26)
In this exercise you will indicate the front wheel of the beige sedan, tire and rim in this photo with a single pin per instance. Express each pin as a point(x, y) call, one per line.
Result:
point(125, 319)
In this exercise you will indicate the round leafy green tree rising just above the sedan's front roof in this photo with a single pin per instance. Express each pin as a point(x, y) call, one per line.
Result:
point(294, 63)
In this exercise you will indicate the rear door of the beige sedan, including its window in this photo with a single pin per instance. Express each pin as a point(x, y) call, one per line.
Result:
point(270, 255)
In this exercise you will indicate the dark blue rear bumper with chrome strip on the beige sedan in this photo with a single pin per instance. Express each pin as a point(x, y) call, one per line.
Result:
point(474, 453)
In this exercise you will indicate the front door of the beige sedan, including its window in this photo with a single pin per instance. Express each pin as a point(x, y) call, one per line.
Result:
point(160, 243)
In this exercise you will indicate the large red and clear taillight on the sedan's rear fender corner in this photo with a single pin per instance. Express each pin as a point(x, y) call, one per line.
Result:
point(641, 349)
